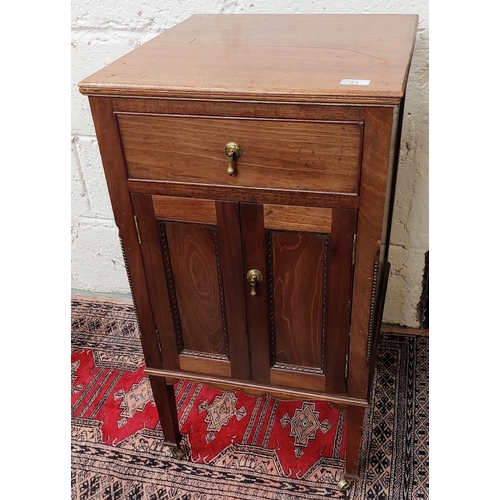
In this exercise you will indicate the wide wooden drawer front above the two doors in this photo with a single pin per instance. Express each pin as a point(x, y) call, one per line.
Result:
point(279, 154)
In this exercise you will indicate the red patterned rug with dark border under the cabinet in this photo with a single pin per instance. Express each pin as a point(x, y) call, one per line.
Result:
point(237, 446)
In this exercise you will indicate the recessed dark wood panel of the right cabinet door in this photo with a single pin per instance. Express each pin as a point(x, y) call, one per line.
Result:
point(298, 293)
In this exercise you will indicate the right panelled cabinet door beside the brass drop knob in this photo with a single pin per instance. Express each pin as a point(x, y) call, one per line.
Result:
point(299, 317)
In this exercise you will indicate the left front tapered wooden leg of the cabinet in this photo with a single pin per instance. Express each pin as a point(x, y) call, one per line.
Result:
point(167, 411)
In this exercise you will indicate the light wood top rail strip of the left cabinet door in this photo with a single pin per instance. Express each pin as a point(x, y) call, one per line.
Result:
point(184, 209)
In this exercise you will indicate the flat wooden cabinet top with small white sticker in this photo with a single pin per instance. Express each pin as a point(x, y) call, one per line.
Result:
point(287, 57)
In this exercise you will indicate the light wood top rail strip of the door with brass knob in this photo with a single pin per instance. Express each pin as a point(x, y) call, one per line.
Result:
point(292, 218)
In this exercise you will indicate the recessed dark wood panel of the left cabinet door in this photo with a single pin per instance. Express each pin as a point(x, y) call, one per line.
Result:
point(195, 270)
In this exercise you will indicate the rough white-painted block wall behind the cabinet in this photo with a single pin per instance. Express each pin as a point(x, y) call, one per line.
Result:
point(103, 30)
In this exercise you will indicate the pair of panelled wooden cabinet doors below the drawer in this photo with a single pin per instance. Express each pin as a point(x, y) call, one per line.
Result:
point(197, 253)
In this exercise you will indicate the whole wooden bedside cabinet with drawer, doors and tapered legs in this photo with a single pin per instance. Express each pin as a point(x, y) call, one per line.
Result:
point(250, 162)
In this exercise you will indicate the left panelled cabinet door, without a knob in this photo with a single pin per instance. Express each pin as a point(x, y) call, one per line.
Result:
point(191, 251)
